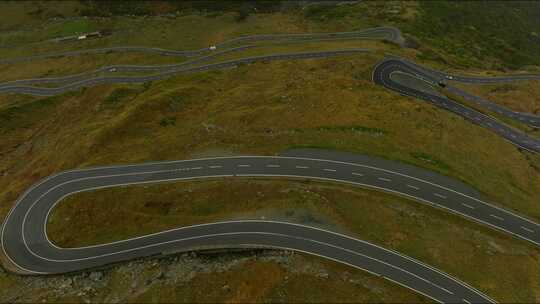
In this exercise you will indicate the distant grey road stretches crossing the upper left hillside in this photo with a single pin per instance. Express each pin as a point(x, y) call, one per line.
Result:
point(72, 82)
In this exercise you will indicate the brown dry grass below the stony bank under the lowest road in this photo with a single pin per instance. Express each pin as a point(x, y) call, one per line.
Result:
point(260, 282)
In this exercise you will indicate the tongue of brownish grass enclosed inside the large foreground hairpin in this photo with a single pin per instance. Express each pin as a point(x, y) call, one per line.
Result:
point(403, 225)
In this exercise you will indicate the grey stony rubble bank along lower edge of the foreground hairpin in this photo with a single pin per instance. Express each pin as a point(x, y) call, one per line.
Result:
point(135, 277)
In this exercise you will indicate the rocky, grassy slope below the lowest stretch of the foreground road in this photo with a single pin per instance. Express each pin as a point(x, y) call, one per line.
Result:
point(211, 278)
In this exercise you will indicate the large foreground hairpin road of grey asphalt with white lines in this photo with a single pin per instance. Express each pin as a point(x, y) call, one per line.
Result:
point(25, 242)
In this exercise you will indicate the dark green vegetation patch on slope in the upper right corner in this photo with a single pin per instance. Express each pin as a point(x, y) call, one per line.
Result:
point(505, 33)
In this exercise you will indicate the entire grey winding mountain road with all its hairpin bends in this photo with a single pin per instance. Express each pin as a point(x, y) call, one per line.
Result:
point(28, 249)
